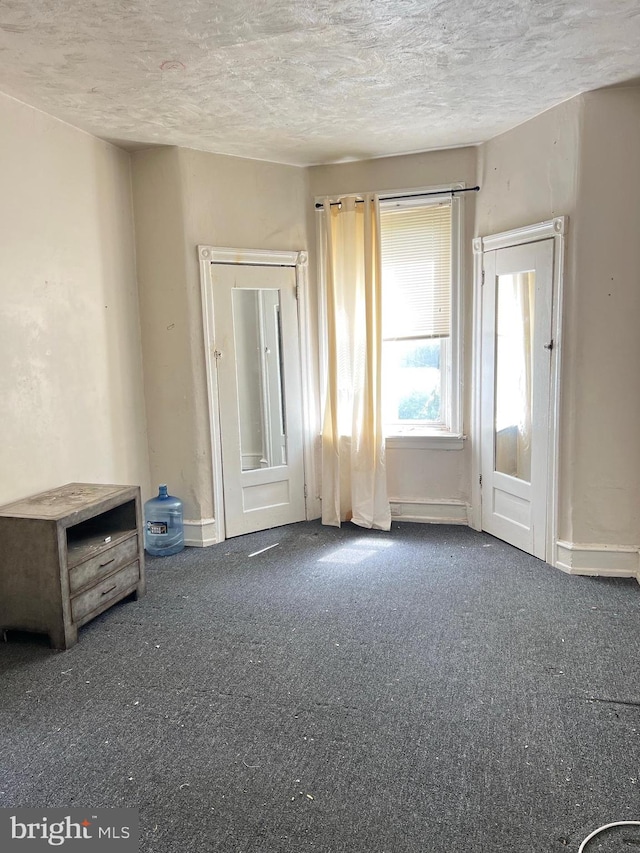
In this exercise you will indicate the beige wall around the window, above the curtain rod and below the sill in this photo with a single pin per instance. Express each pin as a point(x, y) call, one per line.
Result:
point(419, 476)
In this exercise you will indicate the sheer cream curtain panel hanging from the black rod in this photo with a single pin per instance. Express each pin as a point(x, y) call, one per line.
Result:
point(354, 486)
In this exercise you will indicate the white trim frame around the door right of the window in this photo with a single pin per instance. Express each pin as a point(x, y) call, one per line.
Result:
point(555, 229)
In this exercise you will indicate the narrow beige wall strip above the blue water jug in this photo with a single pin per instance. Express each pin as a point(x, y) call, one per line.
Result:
point(174, 453)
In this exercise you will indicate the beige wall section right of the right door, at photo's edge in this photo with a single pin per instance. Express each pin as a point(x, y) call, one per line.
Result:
point(604, 477)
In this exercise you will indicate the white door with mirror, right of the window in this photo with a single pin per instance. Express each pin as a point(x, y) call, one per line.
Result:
point(517, 297)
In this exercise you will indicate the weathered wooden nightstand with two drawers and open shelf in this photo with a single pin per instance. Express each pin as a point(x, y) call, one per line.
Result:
point(67, 555)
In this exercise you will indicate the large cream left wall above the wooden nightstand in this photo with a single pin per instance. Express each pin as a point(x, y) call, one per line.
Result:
point(71, 378)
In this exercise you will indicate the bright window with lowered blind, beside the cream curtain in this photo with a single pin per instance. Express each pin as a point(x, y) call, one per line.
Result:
point(420, 327)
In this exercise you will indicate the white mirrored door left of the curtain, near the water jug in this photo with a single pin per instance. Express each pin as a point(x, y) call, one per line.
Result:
point(257, 356)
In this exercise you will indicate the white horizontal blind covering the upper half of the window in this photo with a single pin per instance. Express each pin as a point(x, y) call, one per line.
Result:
point(416, 271)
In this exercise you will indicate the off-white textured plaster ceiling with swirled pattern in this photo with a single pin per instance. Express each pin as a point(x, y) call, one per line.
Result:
point(310, 81)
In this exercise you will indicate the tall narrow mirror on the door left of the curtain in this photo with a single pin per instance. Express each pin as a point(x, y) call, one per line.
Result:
point(258, 341)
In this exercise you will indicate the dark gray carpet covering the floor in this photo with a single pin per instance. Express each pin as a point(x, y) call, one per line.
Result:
point(428, 690)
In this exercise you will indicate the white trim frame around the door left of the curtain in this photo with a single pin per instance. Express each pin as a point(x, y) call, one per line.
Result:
point(299, 260)
